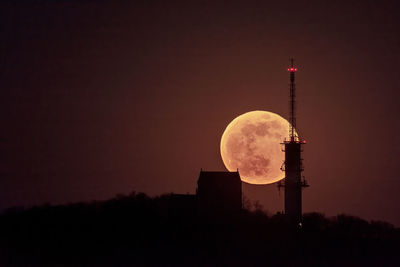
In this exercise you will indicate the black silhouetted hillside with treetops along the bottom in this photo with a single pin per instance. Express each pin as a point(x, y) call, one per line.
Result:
point(137, 230)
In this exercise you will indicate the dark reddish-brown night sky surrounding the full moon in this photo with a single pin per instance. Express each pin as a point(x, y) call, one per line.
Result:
point(106, 97)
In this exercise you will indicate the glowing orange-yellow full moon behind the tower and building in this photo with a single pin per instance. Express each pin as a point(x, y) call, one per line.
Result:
point(251, 143)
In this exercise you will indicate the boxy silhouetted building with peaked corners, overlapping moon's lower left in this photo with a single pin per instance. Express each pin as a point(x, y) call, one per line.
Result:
point(219, 193)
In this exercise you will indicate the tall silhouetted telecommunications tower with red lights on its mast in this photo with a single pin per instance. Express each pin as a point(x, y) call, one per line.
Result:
point(293, 166)
